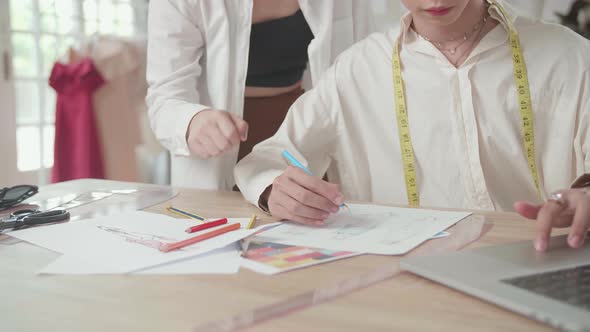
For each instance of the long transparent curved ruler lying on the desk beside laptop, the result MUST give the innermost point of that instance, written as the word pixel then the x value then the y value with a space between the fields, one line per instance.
pixel 464 233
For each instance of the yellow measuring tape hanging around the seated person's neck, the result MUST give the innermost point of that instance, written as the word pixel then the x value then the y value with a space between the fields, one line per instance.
pixel 524 99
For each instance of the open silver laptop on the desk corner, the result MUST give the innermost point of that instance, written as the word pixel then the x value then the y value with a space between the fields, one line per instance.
pixel 552 287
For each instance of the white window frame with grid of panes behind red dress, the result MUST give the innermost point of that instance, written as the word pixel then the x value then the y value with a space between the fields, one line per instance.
pixel 8 91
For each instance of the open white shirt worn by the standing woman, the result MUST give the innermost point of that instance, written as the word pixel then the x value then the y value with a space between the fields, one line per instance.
pixel 198 59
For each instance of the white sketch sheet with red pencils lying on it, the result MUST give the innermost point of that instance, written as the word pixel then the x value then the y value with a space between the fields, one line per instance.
pixel 127 242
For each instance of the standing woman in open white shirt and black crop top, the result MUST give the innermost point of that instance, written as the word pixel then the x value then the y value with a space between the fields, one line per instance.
pixel 222 74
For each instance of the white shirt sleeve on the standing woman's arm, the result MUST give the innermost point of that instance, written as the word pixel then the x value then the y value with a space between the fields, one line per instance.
pixel 175 47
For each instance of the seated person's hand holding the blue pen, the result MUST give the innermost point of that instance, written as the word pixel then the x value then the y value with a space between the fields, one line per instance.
pixel 300 197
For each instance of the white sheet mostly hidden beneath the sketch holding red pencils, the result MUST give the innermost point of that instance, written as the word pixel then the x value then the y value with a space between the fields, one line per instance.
pixel 220 261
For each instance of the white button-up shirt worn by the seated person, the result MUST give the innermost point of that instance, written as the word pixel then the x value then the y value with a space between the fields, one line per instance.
pixel 464 122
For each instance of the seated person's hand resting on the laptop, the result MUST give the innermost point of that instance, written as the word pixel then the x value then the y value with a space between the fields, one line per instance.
pixel 564 208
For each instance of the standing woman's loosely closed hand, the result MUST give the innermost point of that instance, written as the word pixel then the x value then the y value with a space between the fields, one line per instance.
pixel 213 132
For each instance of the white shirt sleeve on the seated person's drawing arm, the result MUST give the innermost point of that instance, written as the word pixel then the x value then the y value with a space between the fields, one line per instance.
pixel 309 133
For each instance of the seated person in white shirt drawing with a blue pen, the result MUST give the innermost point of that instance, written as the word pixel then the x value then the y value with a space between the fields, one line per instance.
pixel 469 106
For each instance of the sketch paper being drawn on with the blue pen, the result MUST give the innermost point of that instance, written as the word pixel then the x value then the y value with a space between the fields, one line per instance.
pixel 368 229
